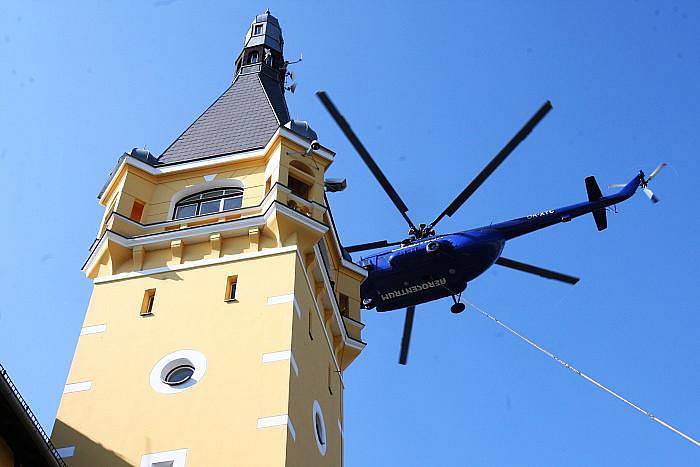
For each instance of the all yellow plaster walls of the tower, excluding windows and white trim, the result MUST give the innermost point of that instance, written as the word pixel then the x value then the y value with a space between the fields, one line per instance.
pixel 122 418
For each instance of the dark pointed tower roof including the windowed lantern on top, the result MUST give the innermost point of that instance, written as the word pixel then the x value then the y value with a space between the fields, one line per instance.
pixel 249 112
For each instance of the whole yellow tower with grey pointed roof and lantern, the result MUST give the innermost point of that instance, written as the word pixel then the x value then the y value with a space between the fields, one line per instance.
pixel 224 310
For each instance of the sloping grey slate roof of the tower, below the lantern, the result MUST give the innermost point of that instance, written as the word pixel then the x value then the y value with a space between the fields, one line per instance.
pixel 244 117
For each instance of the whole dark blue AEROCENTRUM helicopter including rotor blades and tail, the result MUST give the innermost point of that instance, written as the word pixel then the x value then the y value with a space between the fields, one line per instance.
pixel 425 266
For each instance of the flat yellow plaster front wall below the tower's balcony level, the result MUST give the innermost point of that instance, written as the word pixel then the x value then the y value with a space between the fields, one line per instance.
pixel 216 418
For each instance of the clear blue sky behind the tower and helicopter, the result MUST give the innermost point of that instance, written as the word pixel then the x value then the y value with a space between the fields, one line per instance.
pixel 434 89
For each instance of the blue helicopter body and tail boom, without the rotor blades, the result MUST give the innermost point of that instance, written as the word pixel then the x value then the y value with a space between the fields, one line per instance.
pixel 427 269
